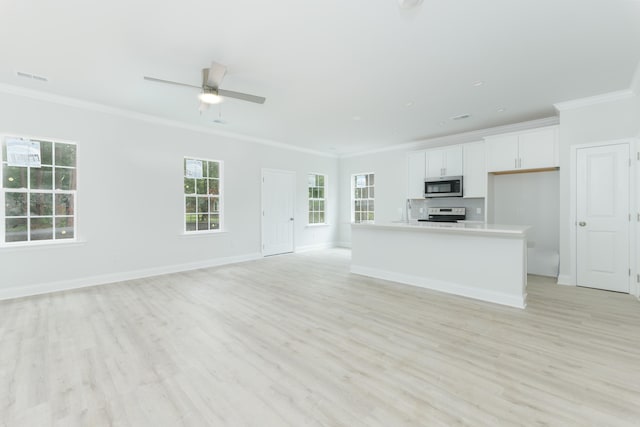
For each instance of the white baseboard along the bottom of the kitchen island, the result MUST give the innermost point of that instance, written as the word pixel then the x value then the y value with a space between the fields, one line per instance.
pixel 443 286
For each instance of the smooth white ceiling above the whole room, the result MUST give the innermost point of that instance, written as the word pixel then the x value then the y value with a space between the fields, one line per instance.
pixel 339 76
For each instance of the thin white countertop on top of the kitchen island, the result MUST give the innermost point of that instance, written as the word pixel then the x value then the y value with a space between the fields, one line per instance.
pixel 468 228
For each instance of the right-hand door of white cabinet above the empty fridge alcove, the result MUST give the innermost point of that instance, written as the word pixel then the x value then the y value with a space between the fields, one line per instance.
pixel 539 149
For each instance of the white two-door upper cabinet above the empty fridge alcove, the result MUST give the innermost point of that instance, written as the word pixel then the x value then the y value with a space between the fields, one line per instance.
pixel 536 149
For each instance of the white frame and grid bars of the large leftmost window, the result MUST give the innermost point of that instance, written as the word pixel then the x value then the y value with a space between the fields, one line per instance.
pixel 54 240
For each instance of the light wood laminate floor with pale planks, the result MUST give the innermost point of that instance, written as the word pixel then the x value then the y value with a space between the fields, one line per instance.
pixel 296 340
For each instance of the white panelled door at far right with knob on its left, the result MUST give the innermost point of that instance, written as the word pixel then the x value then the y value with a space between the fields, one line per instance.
pixel 603 217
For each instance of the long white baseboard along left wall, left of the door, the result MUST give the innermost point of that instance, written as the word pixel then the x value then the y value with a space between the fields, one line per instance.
pixel 85 282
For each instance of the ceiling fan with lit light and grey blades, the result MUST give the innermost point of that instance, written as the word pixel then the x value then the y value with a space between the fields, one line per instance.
pixel 210 87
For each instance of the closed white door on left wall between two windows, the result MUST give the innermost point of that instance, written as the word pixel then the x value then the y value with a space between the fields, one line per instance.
pixel 278 191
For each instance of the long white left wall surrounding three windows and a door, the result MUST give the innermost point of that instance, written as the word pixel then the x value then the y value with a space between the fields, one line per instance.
pixel 130 198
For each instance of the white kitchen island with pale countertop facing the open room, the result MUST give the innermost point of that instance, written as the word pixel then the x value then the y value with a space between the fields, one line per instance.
pixel 482 261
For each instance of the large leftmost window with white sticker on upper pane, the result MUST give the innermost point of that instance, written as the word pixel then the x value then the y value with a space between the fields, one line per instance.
pixel 38 189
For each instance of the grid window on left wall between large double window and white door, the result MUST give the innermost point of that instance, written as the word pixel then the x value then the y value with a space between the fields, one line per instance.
pixel 202 195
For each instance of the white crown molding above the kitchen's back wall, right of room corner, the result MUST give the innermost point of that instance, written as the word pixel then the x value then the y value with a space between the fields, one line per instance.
pixel 459 138
